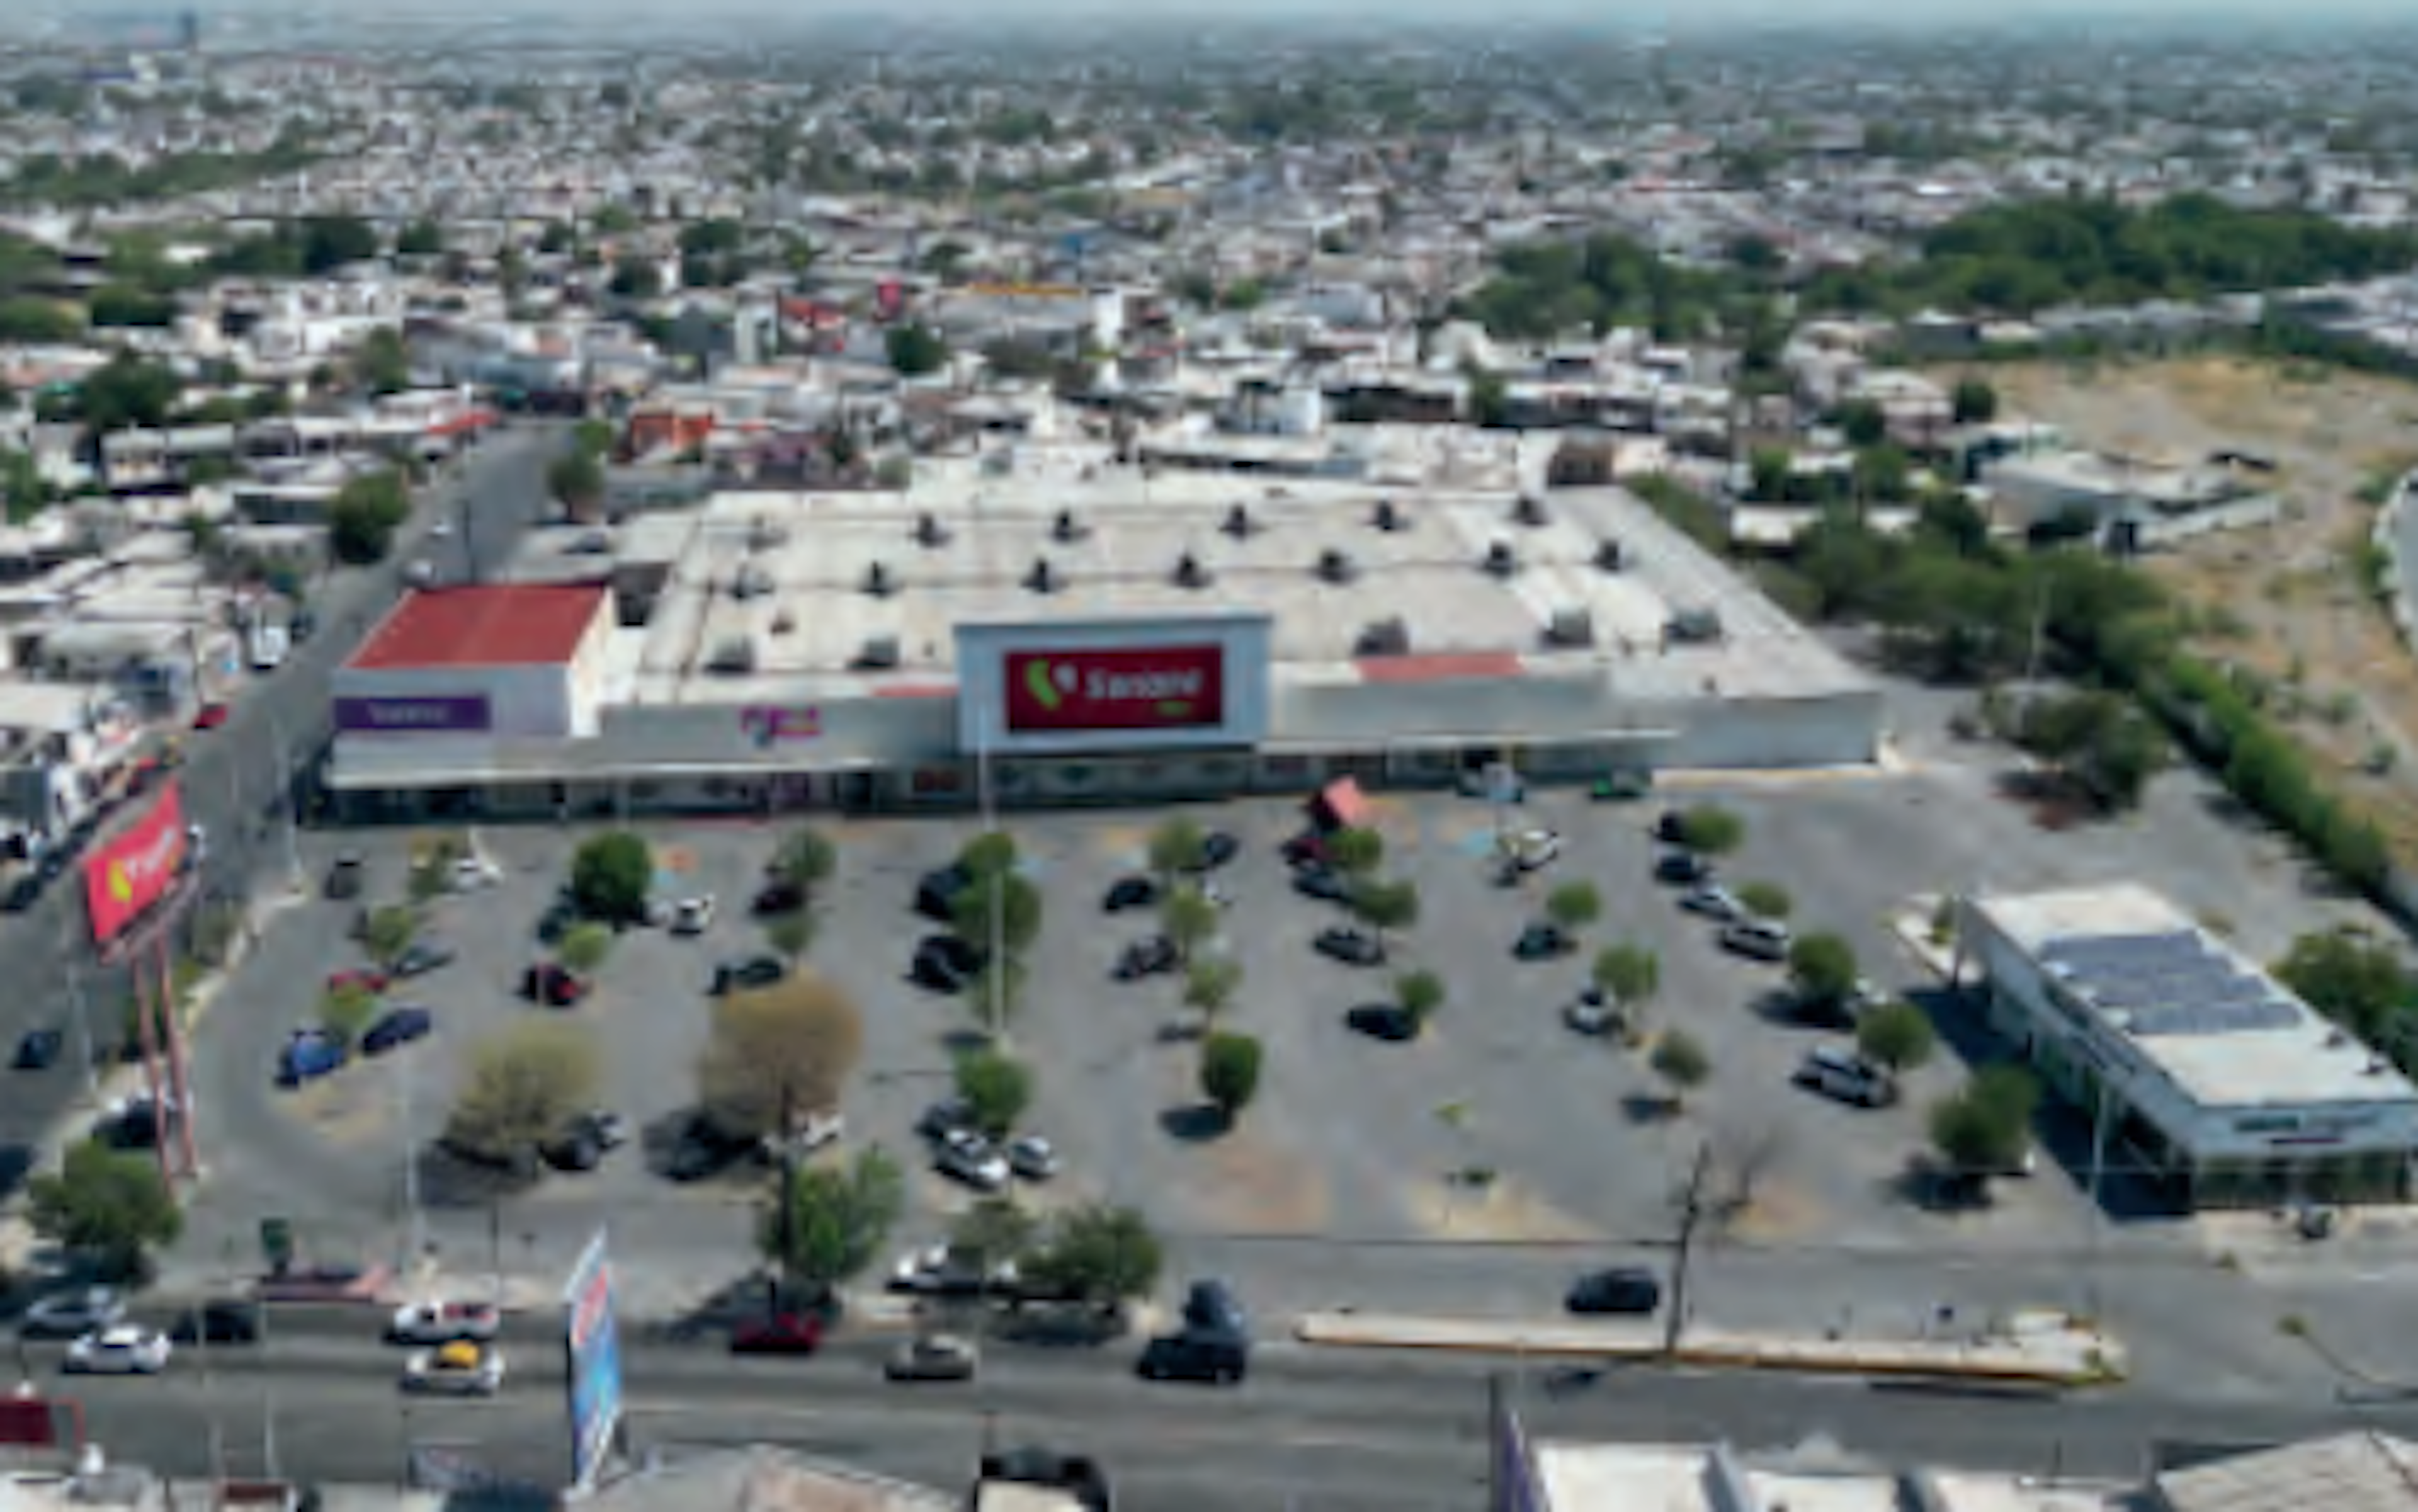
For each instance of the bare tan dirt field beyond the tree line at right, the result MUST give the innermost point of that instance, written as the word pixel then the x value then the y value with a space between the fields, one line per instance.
pixel 2286 601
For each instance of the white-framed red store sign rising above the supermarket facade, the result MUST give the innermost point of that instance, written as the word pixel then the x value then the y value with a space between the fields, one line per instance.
pixel 1113 683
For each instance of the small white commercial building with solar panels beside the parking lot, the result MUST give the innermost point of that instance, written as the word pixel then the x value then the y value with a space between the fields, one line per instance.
pixel 2194 1066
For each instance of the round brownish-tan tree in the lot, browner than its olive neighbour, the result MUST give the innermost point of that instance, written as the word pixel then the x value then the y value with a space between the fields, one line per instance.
pixel 785 1046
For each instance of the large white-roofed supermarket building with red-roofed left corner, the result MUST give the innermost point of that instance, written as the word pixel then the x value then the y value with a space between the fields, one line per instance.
pixel 1082 640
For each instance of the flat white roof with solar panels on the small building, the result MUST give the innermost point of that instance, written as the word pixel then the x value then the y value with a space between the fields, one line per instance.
pixel 2211 1022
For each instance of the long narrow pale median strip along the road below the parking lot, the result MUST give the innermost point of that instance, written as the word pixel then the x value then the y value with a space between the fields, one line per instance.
pixel 2044 1349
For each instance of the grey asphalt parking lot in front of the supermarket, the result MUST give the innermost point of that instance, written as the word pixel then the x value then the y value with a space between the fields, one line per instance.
pixel 1353 1148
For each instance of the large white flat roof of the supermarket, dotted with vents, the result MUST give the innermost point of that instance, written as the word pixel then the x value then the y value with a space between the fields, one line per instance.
pixel 787 575
